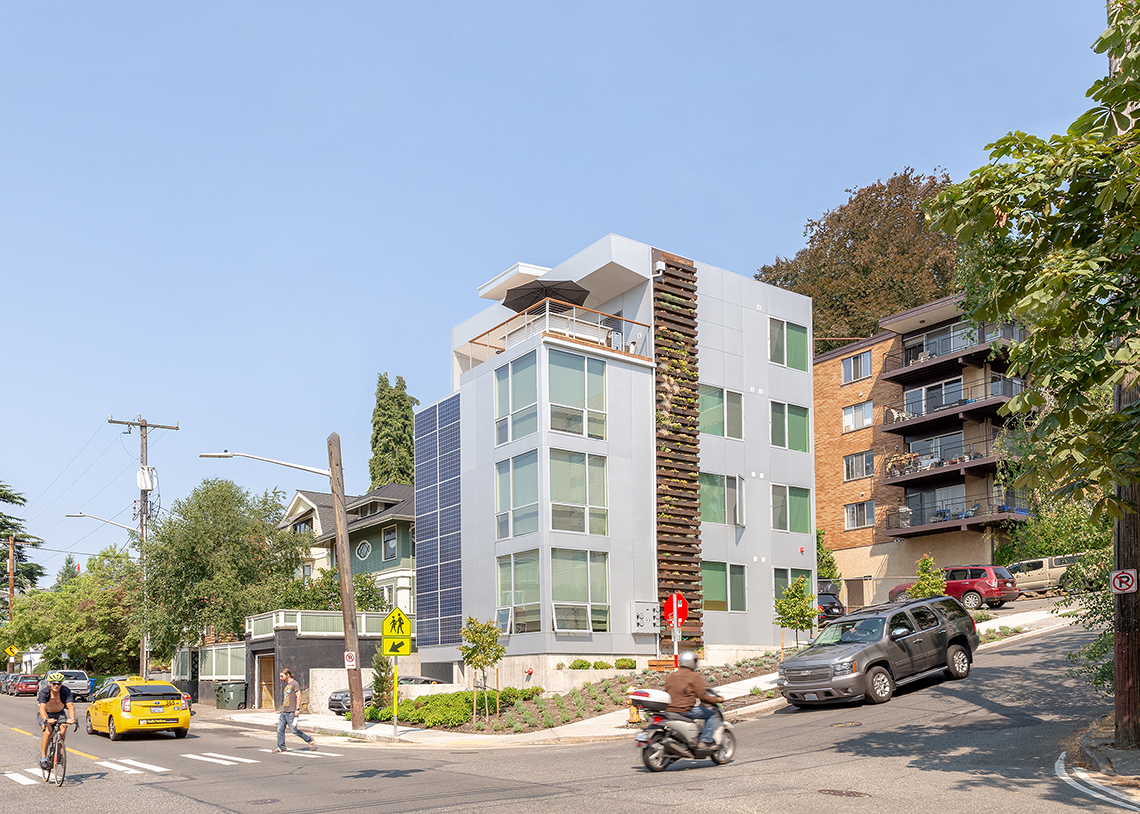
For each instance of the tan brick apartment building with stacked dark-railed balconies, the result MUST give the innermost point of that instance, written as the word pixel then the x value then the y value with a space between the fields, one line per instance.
pixel 908 447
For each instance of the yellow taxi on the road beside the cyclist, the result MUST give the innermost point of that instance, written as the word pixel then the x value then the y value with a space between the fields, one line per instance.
pixel 136 704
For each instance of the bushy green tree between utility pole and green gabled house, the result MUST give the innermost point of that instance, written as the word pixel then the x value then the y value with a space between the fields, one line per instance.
pixel 217 558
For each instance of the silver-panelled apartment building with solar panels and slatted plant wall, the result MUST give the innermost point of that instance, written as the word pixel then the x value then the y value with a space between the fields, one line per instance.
pixel 595 459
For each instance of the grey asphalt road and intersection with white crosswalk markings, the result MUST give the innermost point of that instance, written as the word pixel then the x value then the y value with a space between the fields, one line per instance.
pixel 989 743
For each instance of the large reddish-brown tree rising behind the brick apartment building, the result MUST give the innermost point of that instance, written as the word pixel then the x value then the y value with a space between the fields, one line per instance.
pixel 869 258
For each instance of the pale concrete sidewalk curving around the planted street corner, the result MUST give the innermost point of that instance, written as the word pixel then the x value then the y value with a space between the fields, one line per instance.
pixel 609 727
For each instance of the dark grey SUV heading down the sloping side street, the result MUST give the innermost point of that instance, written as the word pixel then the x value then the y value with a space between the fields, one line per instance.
pixel 868 654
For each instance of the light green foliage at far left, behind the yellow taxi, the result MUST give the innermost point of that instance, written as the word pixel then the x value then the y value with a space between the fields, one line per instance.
pixel 93 618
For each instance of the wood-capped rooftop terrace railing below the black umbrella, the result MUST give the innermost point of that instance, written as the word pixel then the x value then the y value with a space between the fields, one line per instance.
pixel 563 320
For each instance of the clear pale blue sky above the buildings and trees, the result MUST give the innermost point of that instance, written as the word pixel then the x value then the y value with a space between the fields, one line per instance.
pixel 233 216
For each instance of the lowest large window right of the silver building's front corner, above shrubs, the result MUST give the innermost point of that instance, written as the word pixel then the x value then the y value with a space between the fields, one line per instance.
pixel 581 590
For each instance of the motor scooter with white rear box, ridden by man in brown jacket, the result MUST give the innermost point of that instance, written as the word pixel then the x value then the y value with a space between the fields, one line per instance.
pixel 670 737
